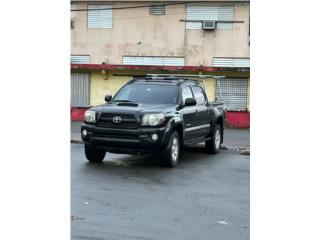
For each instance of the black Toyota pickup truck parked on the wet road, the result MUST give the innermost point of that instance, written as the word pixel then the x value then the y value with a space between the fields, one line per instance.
pixel 154 116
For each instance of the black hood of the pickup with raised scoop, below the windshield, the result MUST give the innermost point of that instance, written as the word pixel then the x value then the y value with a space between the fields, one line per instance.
pixel 135 108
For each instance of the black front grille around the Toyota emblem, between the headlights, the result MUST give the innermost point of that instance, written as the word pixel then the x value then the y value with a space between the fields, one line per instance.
pixel 128 121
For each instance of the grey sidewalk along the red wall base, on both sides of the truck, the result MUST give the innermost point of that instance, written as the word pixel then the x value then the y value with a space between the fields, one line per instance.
pixel 233 137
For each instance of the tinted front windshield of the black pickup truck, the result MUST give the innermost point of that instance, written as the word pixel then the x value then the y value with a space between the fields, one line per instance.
pixel 148 93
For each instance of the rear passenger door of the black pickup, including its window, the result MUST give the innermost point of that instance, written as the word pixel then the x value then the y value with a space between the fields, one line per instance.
pixel 202 112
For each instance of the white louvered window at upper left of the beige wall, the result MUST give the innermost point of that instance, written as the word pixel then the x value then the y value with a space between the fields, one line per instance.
pixel 99 16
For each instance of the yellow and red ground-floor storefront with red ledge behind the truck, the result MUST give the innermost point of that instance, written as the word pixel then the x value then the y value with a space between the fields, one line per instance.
pixel 91 82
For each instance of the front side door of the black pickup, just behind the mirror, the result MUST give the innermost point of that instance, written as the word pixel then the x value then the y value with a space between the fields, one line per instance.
pixel 189 114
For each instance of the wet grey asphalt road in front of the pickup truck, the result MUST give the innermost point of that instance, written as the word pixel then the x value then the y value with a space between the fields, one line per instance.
pixel 134 197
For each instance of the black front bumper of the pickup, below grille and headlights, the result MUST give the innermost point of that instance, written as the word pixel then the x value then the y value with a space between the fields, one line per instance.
pixel 131 141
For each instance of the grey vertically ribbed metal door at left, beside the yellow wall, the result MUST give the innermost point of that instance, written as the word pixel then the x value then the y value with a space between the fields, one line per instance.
pixel 80 89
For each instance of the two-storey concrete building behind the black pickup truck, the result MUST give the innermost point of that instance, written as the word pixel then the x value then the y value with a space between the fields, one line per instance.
pixel 111 41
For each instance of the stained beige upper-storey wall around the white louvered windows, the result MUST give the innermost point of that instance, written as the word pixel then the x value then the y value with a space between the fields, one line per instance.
pixel 137 33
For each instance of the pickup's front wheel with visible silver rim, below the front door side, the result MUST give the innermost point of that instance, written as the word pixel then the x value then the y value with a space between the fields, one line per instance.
pixel 171 153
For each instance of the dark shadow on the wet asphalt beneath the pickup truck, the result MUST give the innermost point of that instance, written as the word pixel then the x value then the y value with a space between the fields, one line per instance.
pixel 150 169
